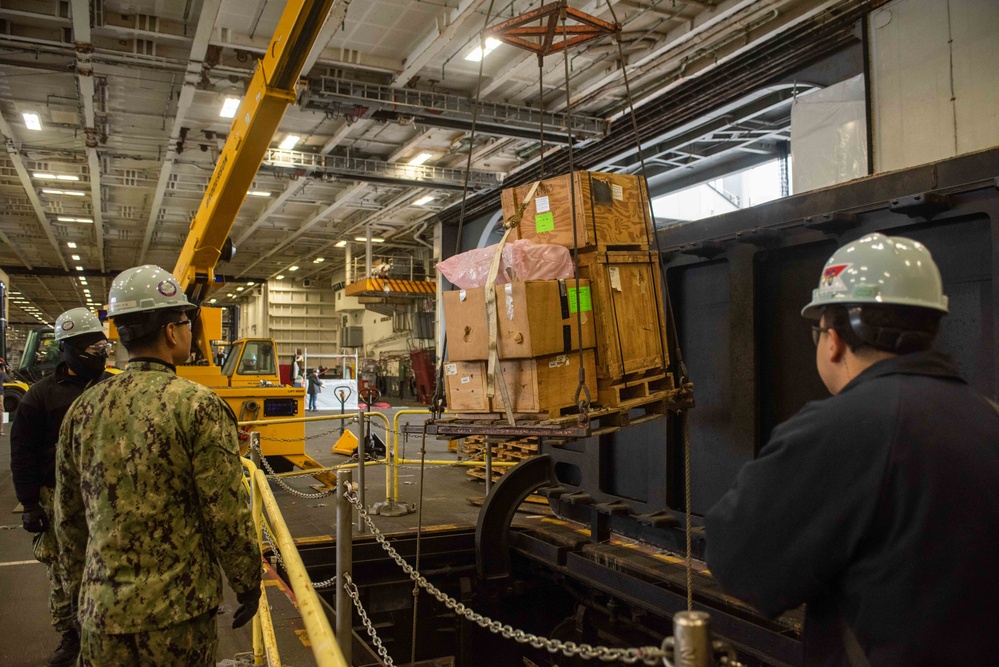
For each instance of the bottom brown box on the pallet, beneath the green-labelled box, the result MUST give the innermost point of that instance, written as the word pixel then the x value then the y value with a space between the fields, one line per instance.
pixel 546 384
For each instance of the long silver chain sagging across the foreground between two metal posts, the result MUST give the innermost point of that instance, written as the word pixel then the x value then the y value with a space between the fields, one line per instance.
pixel 649 655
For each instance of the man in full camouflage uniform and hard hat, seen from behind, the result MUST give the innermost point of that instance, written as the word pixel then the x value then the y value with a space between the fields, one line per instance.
pixel 149 495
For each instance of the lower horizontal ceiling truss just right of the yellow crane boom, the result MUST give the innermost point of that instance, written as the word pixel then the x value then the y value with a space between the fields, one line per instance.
pixel 377 171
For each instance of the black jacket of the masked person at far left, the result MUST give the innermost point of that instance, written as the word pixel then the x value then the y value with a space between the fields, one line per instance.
pixel 35 431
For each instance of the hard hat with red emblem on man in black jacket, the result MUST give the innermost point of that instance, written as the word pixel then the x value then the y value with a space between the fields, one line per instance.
pixel 889 270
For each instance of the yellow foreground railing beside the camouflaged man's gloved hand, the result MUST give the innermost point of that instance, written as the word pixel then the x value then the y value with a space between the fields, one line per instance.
pixel 324 647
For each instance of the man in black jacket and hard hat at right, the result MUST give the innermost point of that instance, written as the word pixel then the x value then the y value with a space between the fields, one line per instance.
pixel 876 507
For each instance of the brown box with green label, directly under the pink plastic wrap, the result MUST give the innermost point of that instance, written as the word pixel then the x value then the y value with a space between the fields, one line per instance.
pixel 534 318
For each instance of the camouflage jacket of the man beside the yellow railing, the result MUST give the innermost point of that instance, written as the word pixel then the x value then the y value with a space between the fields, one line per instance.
pixel 149 496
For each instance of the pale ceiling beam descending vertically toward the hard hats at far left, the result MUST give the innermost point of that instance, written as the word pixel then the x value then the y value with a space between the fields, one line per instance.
pixel 80 10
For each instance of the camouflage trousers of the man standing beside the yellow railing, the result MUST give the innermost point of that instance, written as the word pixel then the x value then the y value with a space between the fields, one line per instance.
pixel 188 644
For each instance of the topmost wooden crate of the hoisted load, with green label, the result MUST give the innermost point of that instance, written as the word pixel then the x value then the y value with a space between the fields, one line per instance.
pixel 612 211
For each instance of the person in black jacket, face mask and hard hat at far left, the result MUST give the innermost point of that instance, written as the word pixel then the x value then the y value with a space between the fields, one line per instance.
pixel 80 337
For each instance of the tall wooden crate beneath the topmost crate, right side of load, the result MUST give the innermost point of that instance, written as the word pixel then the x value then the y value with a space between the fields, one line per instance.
pixel 628 305
